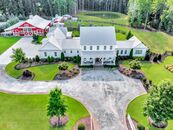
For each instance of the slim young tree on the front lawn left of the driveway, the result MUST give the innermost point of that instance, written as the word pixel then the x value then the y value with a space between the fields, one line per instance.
pixel 56 106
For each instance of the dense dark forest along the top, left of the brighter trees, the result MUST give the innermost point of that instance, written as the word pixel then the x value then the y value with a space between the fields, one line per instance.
pixel 24 8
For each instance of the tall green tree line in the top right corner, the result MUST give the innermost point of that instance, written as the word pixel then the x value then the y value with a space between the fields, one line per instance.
pixel 157 14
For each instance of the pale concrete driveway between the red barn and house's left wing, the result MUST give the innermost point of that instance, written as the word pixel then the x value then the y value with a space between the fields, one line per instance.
pixel 25 43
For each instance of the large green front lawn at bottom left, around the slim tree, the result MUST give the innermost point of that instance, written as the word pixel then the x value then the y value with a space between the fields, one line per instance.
pixel 29 112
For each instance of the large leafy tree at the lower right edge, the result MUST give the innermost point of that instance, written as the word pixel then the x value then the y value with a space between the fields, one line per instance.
pixel 159 104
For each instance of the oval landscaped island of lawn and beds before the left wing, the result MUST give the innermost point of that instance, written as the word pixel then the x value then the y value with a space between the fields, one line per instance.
pixel 42 71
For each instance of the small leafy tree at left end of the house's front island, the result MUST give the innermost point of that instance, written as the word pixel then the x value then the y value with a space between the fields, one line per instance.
pixel 18 55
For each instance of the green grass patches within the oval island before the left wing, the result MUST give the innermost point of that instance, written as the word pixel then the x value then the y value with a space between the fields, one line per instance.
pixel 42 73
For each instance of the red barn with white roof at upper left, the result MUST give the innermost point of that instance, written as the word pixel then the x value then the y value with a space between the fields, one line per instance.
pixel 34 25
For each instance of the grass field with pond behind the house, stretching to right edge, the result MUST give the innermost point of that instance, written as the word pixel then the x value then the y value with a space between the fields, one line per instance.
pixel 157 42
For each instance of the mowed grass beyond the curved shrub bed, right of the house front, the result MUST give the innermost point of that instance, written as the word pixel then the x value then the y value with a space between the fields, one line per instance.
pixel 156 72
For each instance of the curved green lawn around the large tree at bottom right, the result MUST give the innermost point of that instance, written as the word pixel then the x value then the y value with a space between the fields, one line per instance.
pixel 135 109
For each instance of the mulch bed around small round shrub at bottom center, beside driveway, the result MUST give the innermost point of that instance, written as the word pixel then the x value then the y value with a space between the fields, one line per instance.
pixel 86 121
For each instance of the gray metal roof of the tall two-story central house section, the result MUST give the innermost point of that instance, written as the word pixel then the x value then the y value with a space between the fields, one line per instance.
pixel 97 36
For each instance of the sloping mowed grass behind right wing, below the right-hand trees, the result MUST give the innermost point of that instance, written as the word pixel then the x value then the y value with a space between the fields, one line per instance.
pixel 158 42
